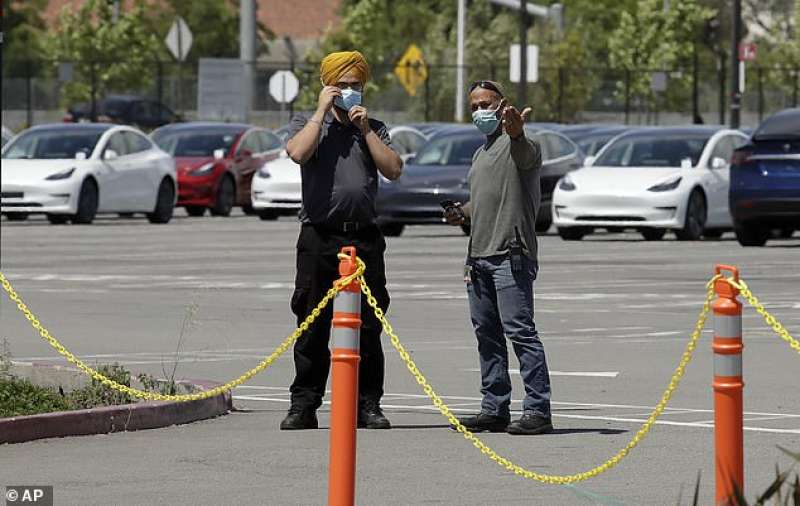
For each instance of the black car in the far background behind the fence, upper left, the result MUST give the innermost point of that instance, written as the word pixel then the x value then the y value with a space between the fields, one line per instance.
pixel 125 109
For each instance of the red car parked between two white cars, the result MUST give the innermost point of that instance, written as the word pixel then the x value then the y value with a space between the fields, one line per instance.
pixel 216 163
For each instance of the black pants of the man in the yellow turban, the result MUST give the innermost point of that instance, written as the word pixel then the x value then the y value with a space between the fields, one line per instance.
pixel 317 269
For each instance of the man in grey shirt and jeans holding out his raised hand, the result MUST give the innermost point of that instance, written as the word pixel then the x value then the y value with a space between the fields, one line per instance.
pixel 502 264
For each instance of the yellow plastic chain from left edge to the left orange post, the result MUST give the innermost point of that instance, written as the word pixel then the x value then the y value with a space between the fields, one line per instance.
pixel 154 396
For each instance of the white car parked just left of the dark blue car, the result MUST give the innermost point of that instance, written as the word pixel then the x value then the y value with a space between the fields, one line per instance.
pixel 652 180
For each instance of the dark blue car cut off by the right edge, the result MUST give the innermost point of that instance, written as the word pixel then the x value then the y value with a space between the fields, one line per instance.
pixel 765 181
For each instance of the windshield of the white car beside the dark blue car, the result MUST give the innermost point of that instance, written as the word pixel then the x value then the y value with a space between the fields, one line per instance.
pixel 654 149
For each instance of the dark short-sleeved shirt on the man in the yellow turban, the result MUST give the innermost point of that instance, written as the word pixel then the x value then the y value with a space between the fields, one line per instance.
pixel 340 180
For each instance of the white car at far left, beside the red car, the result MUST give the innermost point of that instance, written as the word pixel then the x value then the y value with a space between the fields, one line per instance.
pixel 73 171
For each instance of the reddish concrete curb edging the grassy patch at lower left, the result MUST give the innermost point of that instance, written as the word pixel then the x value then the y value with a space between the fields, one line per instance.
pixel 107 419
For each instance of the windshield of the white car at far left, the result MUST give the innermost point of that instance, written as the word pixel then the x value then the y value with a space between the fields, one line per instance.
pixel 53 144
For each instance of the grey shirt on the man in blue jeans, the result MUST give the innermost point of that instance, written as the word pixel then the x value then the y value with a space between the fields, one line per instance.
pixel 504 193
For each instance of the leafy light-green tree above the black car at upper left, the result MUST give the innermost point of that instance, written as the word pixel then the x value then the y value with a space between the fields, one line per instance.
pixel 108 56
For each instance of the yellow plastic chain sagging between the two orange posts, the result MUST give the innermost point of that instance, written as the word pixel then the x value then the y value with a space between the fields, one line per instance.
pixel 506 463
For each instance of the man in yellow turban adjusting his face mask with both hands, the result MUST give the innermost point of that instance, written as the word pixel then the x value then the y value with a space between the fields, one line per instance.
pixel 340 151
